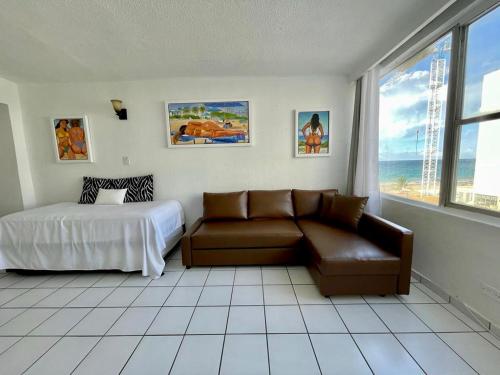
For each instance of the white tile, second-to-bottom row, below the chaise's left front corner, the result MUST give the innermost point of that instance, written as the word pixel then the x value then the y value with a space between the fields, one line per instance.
pixel 322 319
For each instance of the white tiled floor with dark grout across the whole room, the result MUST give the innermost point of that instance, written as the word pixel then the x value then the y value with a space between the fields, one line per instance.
pixel 229 320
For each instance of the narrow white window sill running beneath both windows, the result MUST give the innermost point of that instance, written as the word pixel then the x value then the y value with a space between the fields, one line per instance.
pixel 455 212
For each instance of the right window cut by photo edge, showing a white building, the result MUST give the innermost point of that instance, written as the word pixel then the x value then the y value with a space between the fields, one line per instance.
pixel 476 177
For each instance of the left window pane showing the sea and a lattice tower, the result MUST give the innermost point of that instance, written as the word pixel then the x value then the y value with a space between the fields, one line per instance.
pixel 412 119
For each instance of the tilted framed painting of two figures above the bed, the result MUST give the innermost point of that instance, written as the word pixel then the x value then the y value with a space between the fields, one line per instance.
pixel 71 139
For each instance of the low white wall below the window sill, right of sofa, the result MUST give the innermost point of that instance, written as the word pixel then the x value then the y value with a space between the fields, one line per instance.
pixel 456 253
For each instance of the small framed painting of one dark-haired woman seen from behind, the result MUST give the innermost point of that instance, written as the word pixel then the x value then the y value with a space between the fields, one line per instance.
pixel 313 133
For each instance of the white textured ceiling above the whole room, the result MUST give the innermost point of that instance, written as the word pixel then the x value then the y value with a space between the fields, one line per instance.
pixel 111 40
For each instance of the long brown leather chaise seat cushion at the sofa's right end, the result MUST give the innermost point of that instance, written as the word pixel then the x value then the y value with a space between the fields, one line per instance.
pixel 336 251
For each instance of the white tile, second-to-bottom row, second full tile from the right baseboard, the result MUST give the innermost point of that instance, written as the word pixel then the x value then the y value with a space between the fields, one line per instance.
pixel 399 319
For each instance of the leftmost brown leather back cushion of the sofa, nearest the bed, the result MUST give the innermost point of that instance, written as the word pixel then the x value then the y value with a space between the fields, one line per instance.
pixel 223 206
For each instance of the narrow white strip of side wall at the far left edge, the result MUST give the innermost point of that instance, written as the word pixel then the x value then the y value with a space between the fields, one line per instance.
pixel 9 95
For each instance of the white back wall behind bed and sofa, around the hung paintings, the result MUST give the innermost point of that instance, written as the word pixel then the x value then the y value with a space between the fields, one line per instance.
pixel 184 174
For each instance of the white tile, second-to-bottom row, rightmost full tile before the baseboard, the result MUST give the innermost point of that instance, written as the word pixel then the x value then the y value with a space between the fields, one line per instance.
pixel 438 318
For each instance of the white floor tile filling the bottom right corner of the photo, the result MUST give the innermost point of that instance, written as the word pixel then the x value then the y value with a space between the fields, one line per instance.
pixel 475 350
